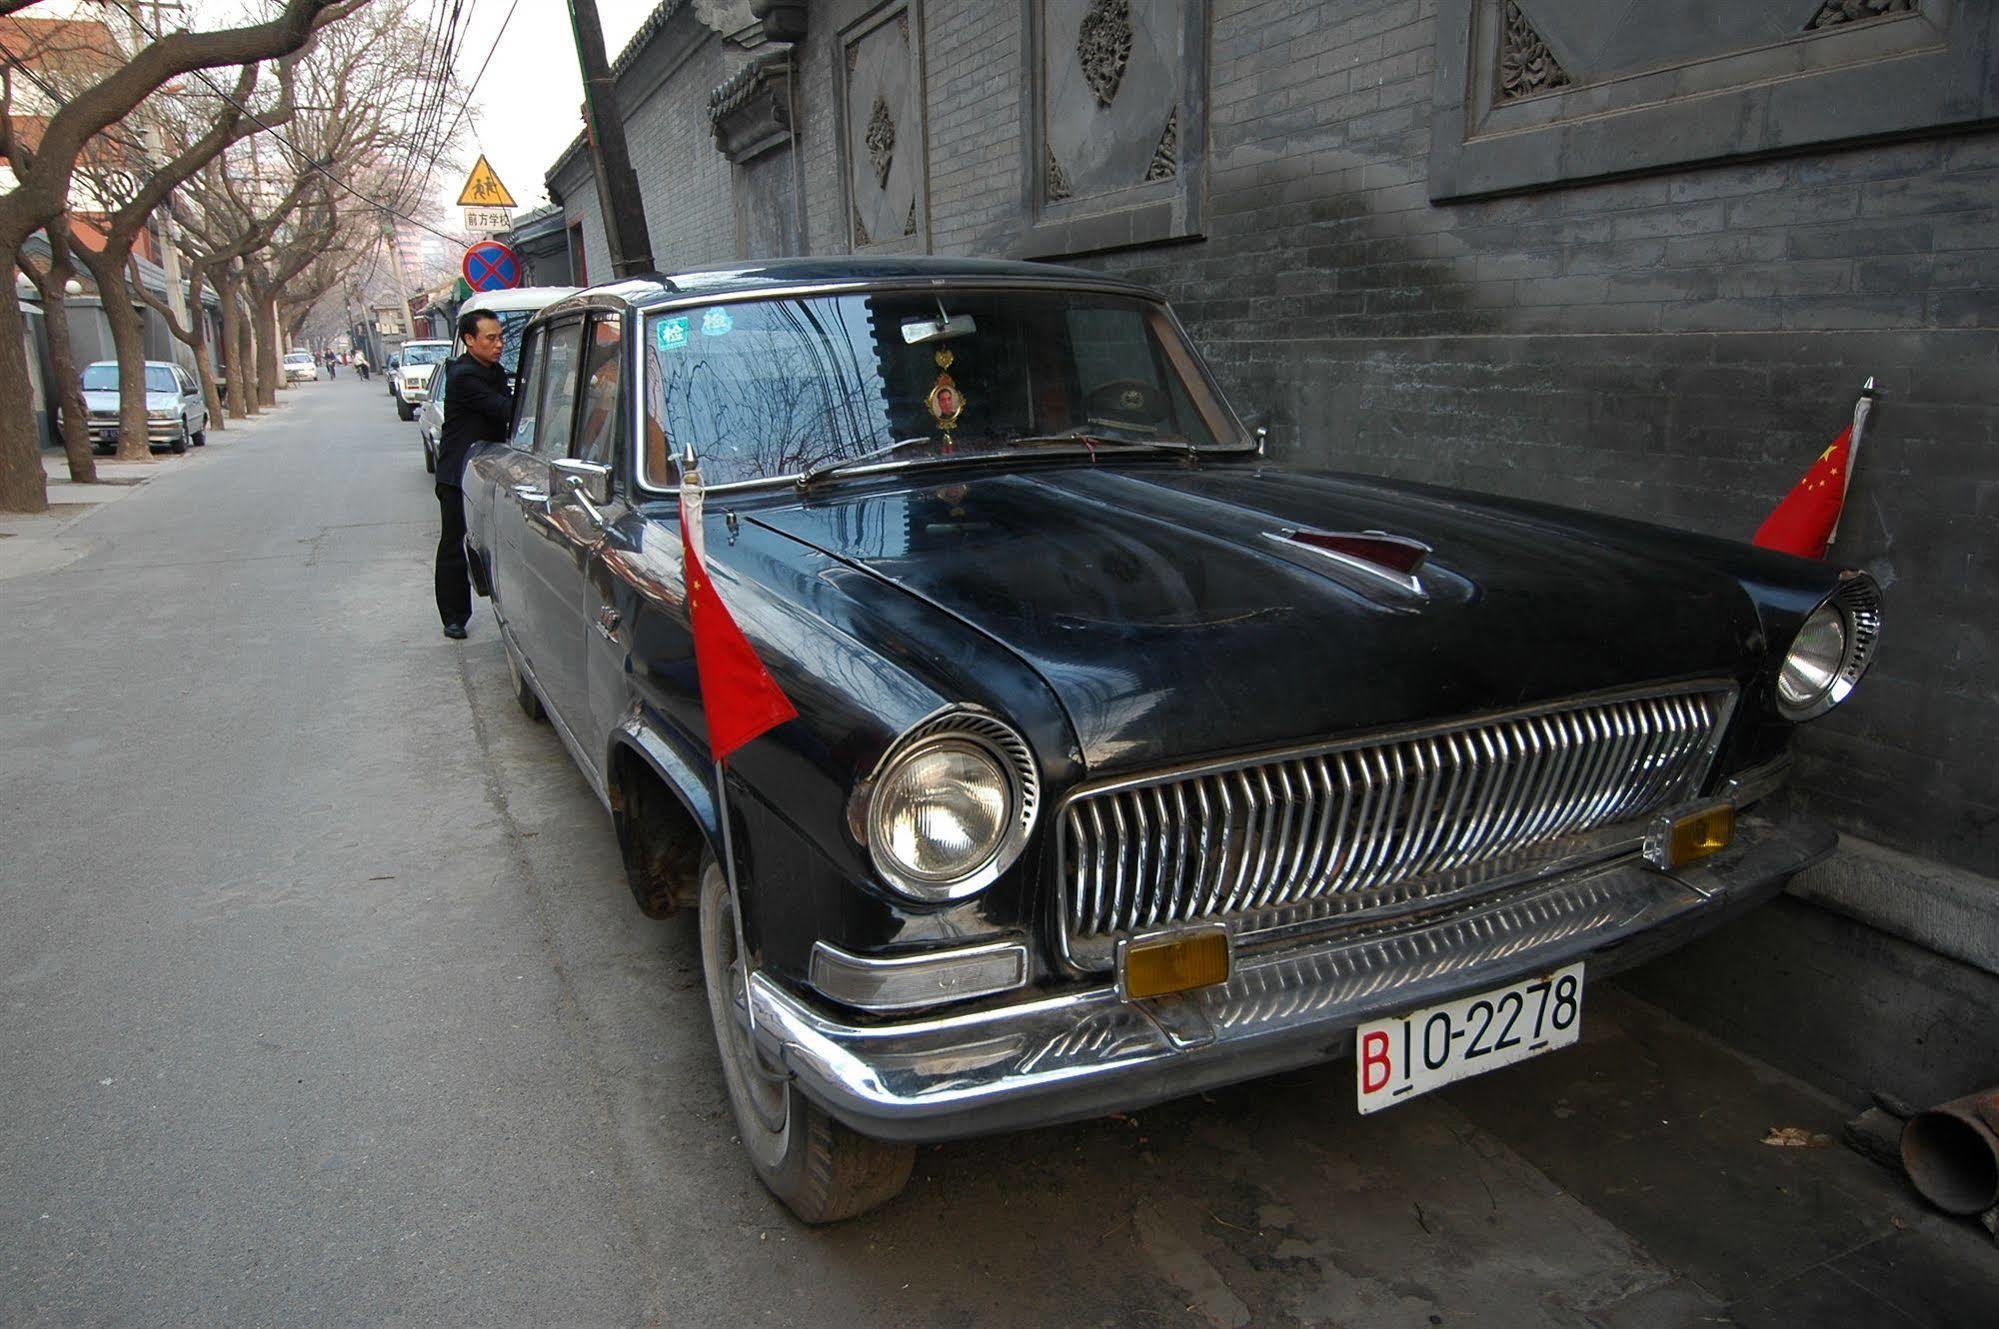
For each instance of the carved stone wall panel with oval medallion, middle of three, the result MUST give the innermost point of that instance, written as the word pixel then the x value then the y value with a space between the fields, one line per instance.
pixel 1112 79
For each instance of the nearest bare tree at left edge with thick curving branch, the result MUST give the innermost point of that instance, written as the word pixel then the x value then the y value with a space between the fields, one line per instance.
pixel 45 171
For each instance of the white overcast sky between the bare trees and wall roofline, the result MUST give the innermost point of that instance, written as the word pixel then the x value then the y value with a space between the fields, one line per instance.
pixel 529 103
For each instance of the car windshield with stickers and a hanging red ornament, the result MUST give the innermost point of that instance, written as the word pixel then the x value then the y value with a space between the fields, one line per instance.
pixel 769 389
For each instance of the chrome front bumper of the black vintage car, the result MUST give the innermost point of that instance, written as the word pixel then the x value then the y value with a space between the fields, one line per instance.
pixel 1088 1052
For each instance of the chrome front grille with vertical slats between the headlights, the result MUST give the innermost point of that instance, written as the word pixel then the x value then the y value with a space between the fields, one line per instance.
pixel 1380 822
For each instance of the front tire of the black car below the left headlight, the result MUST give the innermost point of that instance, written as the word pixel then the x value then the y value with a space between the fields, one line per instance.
pixel 819 1168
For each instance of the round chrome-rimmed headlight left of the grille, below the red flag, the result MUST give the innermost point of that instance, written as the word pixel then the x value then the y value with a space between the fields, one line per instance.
pixel 951 806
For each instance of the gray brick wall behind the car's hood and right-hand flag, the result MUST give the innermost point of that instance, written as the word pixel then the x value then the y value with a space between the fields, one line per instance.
pixel 1674 349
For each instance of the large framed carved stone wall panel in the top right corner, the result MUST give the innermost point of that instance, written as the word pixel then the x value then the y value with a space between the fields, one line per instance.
pixel 1544 93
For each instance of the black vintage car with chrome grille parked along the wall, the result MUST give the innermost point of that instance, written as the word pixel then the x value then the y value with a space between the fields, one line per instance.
pixel 1126 760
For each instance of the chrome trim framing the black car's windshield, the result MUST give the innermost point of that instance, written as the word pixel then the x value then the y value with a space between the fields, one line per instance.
pixel 1110 287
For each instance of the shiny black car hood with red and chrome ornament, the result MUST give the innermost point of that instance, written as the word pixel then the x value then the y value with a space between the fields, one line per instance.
pixel 1174 623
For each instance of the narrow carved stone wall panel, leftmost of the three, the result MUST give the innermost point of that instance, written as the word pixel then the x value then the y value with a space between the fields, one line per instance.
pixel 883 119
